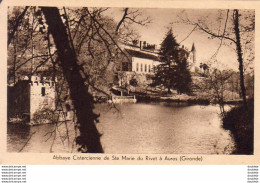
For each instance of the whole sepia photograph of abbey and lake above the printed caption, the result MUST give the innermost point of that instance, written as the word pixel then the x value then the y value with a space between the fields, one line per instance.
pixel 124 80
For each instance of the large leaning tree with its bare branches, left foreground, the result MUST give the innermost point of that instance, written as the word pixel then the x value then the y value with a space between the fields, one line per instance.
pixel 85 55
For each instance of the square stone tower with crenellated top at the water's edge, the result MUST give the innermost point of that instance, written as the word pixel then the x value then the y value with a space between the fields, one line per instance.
pixel 31 97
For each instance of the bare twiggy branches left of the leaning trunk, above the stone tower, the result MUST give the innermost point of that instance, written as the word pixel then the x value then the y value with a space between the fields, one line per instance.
pixel 25 55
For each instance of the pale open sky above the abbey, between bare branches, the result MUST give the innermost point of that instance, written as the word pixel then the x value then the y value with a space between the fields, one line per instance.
pixel 162 19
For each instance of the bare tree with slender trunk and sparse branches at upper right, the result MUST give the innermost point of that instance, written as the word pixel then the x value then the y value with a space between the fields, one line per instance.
pixel 233 26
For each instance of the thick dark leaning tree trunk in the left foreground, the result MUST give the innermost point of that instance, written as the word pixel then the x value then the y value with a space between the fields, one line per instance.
pixel 89 139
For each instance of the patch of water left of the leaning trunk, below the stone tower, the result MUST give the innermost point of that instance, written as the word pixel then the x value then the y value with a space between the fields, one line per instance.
pixel 42 138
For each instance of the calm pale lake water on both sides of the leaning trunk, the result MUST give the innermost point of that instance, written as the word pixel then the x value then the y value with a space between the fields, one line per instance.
pixel 135 128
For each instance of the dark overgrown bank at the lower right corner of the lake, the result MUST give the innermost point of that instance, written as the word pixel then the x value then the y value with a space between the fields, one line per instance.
pixel 241 123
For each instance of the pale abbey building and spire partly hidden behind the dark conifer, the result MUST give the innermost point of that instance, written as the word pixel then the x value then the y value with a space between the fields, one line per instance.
pixel 143 59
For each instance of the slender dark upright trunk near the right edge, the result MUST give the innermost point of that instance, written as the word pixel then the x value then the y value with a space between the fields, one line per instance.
pixel 240 58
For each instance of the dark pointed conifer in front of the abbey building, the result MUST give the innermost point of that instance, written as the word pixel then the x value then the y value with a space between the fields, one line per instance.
pixel 173 71
